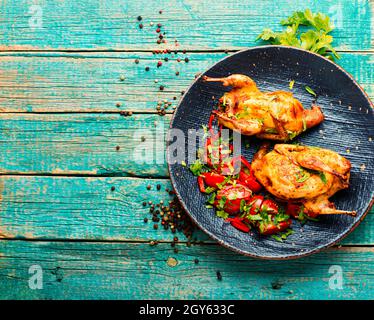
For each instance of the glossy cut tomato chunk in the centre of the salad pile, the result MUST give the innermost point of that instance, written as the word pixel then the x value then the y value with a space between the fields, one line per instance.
pixel 233 195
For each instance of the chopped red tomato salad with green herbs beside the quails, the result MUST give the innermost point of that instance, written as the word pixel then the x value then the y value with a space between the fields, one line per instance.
pixel 234 190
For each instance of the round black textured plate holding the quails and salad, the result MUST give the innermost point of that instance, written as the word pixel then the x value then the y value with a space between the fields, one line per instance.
pixel 348 129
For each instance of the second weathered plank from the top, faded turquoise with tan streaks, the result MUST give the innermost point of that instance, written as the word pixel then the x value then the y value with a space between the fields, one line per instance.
pixel 90 82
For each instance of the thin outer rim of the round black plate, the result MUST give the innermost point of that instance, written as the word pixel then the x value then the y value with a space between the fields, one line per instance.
pixel 212 235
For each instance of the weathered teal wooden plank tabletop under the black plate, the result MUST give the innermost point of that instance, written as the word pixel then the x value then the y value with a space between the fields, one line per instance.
pixel 67 74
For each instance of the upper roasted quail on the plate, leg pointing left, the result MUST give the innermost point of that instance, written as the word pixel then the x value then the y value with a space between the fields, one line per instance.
pixel 268 115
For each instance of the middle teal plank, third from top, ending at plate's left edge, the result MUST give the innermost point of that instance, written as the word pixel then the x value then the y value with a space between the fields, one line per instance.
pixel 83 144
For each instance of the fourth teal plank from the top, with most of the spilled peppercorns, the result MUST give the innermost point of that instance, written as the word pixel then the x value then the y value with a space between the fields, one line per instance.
pixel 85 208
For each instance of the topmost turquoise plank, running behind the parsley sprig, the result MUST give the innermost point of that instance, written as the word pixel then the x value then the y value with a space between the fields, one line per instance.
pixel 112 25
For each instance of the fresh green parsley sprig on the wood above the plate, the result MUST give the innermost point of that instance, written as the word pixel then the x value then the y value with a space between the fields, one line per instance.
pixel 316 39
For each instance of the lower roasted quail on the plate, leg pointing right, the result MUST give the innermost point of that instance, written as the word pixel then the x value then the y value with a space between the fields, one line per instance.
pixel 308 175
